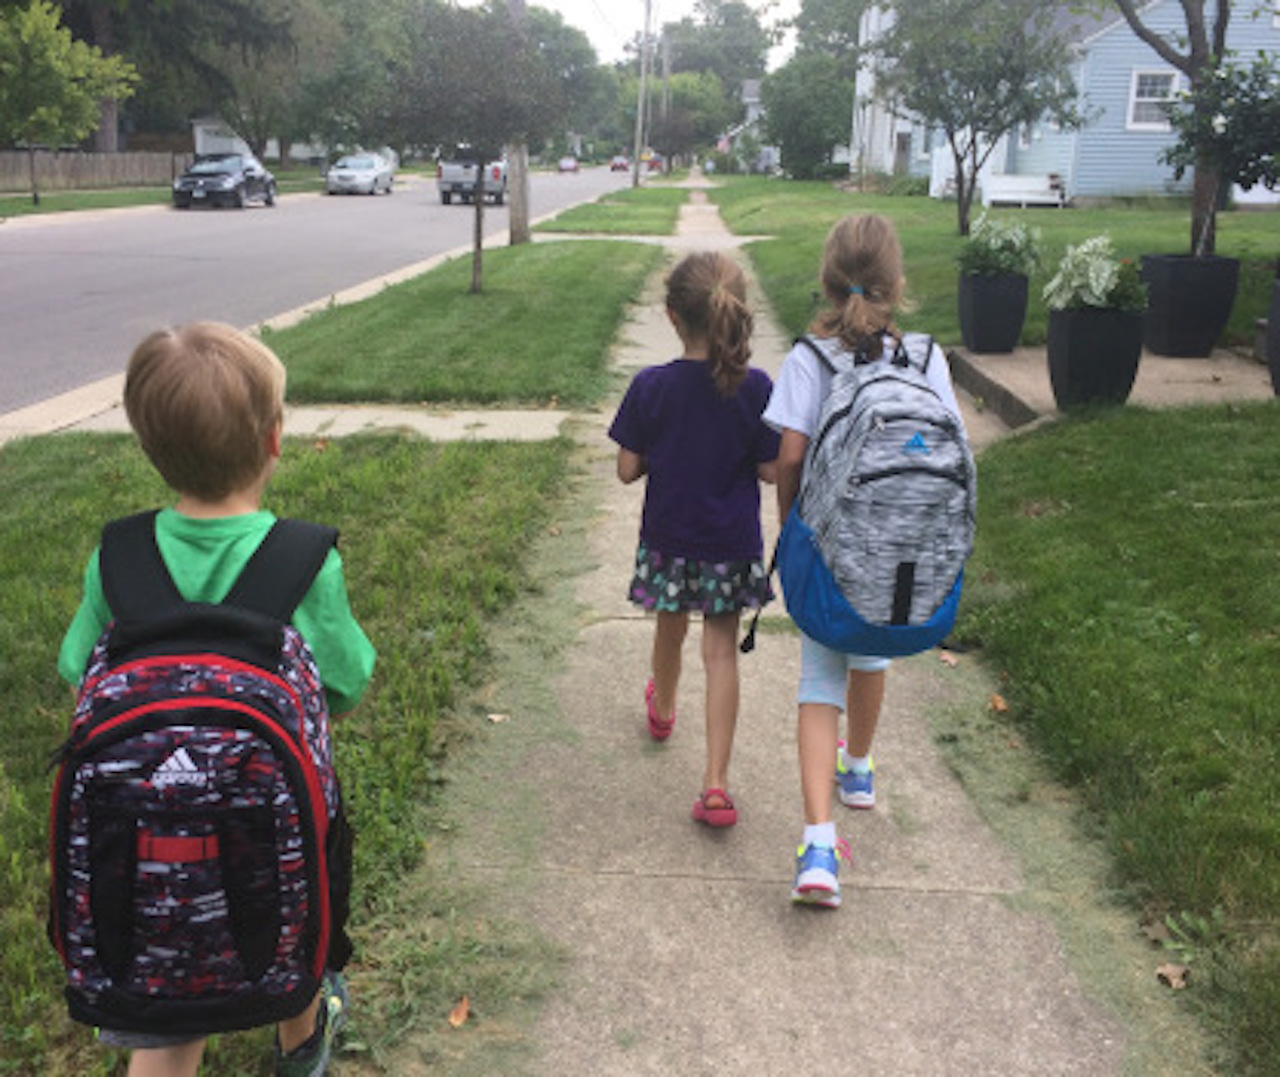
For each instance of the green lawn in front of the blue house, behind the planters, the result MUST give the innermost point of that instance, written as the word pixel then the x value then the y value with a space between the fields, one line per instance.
pixel 799 215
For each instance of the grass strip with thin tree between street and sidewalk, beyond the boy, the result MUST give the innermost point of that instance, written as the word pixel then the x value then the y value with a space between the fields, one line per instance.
pixel 538 334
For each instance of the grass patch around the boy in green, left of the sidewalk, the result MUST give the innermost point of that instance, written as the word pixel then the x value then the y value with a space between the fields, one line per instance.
pixel 435 540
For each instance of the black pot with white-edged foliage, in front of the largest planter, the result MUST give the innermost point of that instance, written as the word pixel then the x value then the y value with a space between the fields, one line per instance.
pixel 1094 355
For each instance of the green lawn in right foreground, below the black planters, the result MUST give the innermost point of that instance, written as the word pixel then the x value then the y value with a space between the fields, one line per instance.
pixel 1127 583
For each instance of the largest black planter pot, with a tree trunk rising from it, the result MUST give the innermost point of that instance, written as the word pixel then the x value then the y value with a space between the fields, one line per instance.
pixel 1190 303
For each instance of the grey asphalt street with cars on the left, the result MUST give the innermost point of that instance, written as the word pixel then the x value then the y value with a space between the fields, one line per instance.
pixel 77 291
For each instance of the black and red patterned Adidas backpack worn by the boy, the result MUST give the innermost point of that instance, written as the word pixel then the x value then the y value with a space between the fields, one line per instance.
pixel 200 859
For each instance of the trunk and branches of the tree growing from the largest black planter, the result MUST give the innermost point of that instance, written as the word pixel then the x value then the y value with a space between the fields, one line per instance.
pixel 1197 56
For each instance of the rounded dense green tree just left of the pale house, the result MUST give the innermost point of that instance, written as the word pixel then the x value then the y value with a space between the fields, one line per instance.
pixel 807 111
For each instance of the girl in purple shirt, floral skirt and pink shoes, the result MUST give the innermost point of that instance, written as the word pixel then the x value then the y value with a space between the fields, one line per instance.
pixel 693 430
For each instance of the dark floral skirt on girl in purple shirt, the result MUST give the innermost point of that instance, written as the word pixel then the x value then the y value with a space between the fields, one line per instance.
pixel 682 585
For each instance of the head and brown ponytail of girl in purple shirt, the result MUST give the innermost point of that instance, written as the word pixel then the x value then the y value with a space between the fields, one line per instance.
pixel 708 293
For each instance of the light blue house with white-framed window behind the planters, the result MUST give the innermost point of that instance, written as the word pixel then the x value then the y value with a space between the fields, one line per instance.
pixel 1124 88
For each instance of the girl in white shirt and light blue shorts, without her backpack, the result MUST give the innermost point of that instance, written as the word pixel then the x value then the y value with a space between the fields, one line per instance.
pixel 863 282
